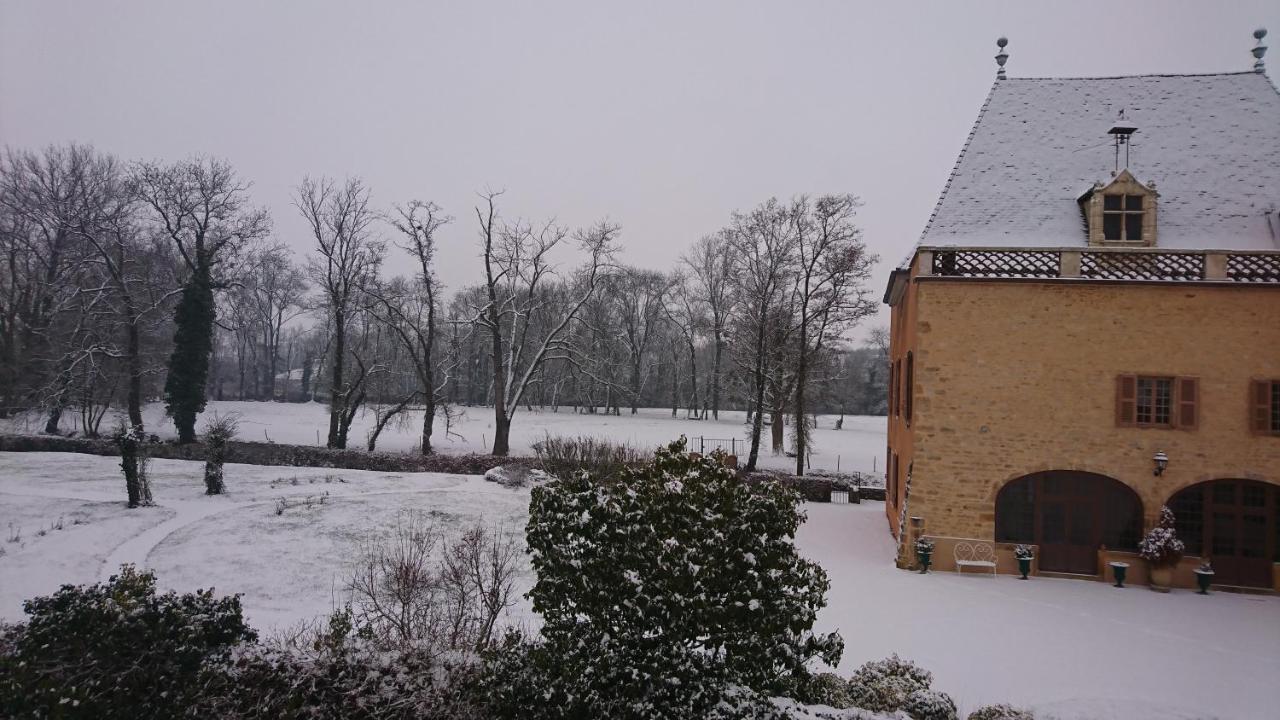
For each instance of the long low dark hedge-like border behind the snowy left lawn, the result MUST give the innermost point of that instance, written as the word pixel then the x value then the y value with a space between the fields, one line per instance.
pixel 277 454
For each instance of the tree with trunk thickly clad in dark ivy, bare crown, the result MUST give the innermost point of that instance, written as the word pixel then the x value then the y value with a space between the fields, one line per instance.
pixel 203 207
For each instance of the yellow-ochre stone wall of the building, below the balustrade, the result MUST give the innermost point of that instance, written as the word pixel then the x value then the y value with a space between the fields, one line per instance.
pixel 1016 377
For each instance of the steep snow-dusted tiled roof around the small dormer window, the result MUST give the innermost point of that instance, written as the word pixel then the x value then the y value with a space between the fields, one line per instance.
pixel 1210 144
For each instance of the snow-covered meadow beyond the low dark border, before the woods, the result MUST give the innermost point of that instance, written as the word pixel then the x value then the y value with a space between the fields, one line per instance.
pixel 860 446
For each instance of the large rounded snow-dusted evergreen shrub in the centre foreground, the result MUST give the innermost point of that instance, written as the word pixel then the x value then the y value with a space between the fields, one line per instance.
pixel 670 585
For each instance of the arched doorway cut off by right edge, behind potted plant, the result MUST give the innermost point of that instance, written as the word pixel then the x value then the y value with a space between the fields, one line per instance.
pixel 1232 523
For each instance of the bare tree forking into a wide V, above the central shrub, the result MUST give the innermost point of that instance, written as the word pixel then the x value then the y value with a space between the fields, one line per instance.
pixel 518 271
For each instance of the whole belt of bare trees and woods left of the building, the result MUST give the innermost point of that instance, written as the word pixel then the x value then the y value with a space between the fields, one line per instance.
pixel 125 284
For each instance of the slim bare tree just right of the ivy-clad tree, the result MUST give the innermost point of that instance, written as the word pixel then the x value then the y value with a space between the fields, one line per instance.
pixel 341 222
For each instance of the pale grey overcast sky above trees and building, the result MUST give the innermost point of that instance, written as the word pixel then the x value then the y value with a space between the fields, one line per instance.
pixel 664 117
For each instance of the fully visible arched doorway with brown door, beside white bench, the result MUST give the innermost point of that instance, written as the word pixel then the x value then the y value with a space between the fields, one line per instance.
pixel 1069 514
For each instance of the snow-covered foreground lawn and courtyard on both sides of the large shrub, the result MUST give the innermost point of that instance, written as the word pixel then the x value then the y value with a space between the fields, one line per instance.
pixel 1073 649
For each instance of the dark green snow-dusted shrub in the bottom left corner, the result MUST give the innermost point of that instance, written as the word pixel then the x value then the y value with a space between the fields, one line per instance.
pixel 116 650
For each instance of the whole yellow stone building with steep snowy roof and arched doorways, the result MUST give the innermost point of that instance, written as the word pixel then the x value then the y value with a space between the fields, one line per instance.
pixel 1090 330
